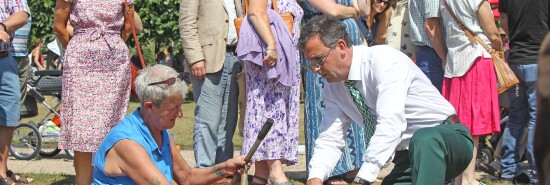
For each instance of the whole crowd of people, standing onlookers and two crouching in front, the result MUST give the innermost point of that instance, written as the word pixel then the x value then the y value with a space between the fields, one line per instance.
pixel 419 92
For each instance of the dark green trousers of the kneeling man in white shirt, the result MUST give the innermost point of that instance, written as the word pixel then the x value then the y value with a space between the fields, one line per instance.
pixel 435 155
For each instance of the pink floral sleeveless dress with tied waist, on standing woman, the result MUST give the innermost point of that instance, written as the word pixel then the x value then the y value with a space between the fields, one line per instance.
pixel 96 74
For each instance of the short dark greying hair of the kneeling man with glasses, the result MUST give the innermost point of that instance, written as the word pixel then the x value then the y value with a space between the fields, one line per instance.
pixel 329 30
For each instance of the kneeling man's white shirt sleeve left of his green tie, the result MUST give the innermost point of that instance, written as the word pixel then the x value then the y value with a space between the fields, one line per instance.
pixel 330 143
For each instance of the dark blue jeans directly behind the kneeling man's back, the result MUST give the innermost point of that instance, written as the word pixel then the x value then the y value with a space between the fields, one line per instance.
pixel 429 62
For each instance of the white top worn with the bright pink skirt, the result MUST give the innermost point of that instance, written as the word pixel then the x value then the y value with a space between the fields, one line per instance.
pixel 462 52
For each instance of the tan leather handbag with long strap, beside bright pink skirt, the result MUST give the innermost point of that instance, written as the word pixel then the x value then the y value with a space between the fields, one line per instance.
pixel 506 78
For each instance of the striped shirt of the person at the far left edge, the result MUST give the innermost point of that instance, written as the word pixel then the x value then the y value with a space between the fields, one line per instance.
pixel 7 8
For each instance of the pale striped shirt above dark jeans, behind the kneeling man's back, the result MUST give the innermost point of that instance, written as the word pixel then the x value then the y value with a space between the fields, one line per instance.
pixel 419 11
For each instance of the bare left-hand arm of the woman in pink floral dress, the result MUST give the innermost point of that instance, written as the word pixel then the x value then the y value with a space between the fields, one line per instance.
pixel 61 16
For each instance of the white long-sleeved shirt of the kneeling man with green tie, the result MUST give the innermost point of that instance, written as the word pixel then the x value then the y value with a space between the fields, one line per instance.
pixel 399 96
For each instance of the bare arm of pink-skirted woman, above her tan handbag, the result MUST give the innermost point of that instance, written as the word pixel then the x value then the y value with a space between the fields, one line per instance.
pixel 487 20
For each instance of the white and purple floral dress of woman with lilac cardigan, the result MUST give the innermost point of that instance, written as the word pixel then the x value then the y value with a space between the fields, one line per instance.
pixel 269 98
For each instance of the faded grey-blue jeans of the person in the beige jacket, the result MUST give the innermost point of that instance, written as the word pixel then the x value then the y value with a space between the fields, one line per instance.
pixel 216 113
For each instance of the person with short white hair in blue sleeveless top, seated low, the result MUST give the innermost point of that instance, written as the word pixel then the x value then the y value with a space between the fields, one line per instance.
pixel 139 150
